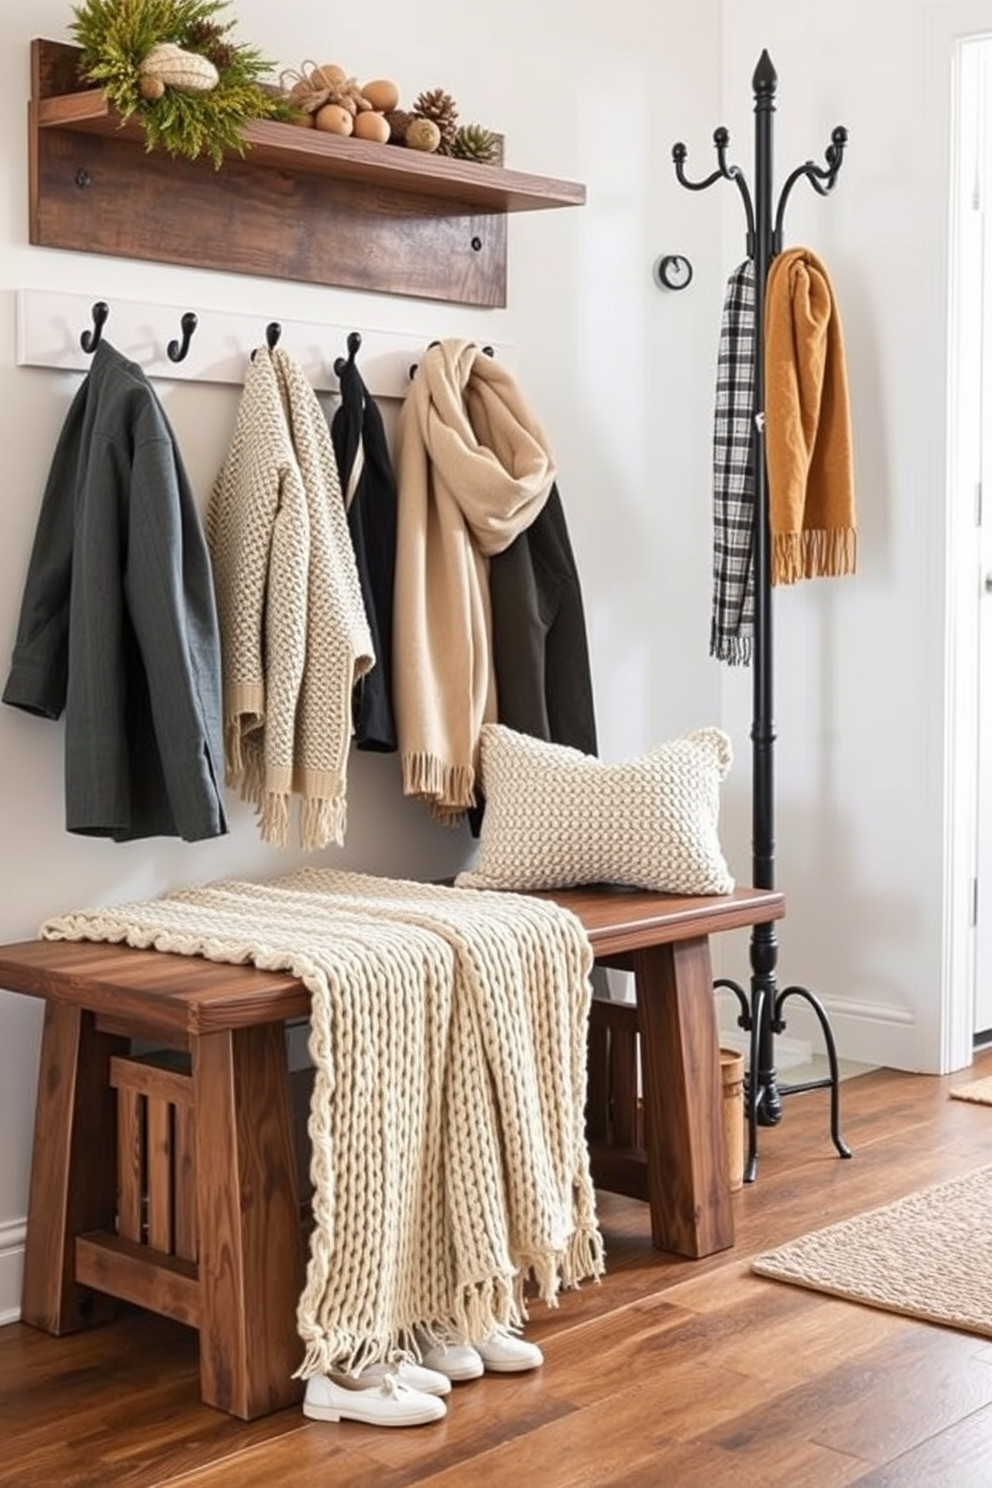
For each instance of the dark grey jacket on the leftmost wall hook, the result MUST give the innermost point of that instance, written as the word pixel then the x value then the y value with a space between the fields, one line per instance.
pixel 118 623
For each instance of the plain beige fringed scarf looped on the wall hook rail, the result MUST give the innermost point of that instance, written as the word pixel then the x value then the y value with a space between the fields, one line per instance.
pixel 474 471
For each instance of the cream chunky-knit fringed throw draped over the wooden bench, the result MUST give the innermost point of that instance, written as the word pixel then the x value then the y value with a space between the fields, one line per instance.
pixel 448 1035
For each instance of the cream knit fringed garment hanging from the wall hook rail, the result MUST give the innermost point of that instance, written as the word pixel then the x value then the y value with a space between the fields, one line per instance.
pixel 294 630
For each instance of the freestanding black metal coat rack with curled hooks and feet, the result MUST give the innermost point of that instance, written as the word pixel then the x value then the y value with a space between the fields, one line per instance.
pixel 762 1011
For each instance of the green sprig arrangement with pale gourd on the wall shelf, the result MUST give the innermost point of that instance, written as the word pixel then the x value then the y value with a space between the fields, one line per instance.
pixel 176 66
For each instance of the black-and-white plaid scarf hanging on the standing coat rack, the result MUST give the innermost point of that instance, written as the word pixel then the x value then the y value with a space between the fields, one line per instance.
pixel 732 624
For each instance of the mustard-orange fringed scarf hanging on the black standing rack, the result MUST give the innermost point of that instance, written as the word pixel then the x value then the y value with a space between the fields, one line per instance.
pixel 807 425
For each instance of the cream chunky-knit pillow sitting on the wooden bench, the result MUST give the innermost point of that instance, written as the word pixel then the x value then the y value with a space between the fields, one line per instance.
pixel 557 818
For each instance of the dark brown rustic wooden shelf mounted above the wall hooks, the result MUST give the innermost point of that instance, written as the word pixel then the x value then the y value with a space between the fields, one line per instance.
pixel 300 205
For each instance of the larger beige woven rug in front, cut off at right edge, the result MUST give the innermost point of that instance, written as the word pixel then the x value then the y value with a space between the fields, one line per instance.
pixel 929 1257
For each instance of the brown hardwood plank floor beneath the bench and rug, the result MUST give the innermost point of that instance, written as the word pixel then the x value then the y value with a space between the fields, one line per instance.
pixel 671 1374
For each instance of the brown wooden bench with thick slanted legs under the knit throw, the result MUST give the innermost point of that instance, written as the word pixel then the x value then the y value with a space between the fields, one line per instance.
pixel 170 1182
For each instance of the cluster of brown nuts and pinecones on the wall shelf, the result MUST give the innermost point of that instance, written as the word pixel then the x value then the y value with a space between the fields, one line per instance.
pixel 325 97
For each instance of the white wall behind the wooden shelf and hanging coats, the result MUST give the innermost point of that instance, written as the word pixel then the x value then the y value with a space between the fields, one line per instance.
pixel 619 373
